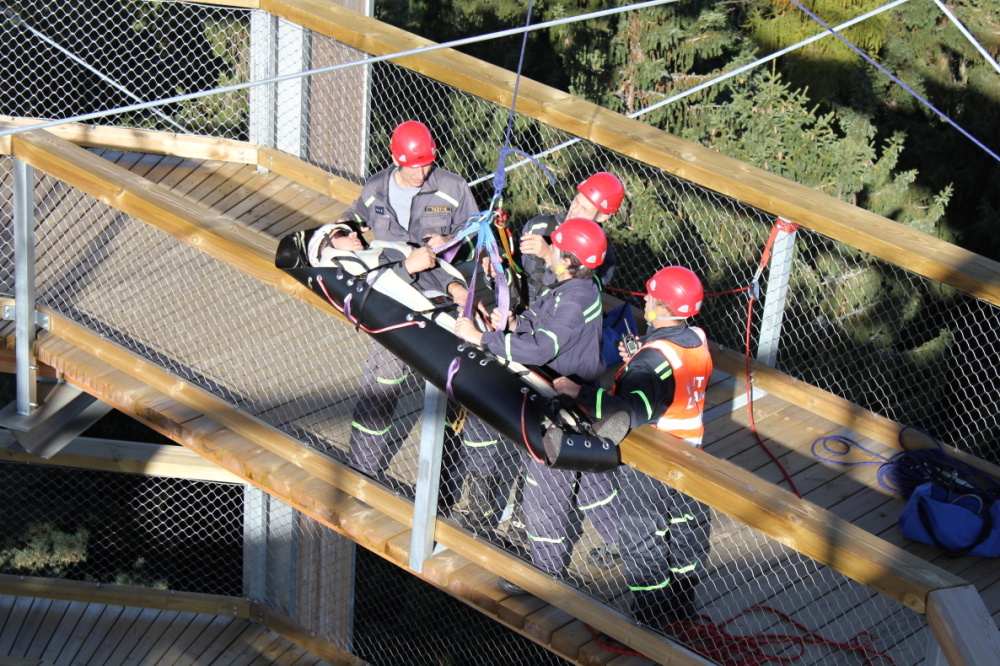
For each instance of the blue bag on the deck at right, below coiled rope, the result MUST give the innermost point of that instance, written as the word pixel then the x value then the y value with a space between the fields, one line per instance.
pixel 959 524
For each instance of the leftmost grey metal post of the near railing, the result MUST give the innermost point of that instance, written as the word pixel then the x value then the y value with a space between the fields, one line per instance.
pixel 24 287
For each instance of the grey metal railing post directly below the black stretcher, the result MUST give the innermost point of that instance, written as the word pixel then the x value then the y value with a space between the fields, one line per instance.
pixel 428 476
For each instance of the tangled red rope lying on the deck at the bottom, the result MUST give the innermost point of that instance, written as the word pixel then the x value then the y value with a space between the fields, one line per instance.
pixel 715 642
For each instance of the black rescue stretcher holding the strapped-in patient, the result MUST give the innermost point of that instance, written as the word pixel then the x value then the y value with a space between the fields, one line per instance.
pixel 517 401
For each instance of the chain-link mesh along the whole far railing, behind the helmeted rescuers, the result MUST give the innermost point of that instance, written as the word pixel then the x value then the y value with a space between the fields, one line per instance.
pixel 906 335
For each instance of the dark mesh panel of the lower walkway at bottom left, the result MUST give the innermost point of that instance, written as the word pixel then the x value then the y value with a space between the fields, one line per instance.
pixel 124 529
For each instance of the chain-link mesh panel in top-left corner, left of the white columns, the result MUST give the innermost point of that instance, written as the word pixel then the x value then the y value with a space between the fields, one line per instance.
pixel 77 58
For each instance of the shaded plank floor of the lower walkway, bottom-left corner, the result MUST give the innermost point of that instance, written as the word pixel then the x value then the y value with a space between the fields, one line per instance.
pixel 61 633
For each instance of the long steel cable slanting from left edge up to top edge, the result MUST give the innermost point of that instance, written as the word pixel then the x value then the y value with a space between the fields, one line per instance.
pixel 337 67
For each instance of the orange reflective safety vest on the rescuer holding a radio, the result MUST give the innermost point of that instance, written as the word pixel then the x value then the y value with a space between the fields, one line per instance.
pixel 692 368
